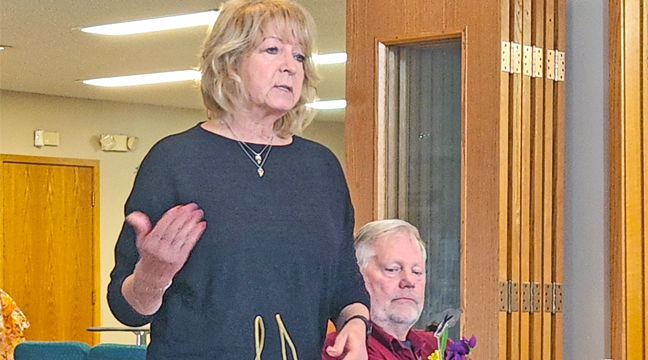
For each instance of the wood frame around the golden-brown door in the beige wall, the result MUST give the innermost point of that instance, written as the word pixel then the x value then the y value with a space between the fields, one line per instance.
pixel 94 165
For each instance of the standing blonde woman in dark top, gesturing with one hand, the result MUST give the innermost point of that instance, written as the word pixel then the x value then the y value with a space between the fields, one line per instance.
pixel 238 237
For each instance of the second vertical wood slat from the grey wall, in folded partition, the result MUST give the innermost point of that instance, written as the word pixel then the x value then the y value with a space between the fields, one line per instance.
pixel 547 251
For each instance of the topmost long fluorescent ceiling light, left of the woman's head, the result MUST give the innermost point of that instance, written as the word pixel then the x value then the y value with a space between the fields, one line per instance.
pixel 157 24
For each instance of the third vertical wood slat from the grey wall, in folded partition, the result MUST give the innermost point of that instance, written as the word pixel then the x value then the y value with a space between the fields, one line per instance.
pixel 536 179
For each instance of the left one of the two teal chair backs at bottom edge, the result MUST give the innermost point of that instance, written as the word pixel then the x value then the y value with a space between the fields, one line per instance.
pixel 51 350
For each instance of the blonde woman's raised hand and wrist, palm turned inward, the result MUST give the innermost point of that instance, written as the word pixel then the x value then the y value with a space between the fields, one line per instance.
pixel 164 249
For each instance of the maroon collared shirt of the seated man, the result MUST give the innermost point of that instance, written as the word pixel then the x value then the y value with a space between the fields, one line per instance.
pixel 382 346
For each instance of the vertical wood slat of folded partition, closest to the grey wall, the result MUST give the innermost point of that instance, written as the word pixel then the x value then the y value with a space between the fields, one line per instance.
pixel 559 174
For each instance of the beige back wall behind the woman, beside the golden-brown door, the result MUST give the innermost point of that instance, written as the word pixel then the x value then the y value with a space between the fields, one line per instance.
pixel 79 123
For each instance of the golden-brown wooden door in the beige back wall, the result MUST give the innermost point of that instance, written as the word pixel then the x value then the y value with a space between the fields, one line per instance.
pixel 50 262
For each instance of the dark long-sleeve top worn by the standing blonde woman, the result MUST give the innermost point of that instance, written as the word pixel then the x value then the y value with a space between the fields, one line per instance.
pixel 277 244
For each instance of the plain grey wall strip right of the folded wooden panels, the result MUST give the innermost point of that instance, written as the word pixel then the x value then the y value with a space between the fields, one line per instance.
pixel 586 276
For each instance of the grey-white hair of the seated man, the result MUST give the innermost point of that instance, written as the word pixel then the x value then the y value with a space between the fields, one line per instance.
pixel 366 238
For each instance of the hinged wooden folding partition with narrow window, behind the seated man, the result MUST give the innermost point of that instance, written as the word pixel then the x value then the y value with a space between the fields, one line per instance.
pixel 511 175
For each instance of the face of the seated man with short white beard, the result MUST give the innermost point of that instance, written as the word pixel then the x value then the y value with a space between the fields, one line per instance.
pixel 395 279
